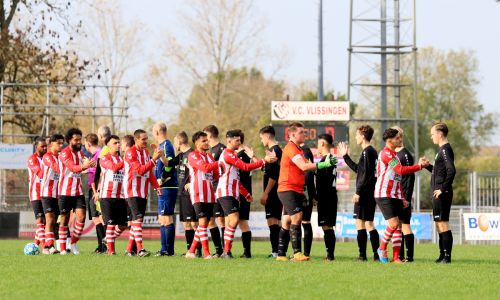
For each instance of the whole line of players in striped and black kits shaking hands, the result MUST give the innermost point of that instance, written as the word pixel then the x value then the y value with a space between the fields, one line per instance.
pixel 219 186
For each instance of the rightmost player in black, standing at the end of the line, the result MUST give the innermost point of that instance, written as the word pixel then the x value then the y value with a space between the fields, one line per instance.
pixel 443 173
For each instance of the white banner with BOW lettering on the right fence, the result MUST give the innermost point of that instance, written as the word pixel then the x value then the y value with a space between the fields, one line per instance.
pixel 482 226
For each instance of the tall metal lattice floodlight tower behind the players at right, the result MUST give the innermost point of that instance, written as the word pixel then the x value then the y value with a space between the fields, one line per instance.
pixel 376 42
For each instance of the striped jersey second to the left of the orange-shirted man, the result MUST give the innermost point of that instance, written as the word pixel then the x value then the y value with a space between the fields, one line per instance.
pixel 203 171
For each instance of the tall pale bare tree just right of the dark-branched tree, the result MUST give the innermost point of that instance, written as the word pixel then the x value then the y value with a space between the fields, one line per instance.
pixel 115 46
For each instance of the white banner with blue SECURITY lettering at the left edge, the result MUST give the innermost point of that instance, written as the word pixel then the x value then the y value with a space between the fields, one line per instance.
pixel 15 156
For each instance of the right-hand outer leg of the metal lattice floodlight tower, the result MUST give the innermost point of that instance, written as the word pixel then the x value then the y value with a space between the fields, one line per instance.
pixel 415 100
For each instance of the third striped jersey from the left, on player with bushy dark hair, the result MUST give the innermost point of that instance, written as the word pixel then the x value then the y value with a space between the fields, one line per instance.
pixel 70 165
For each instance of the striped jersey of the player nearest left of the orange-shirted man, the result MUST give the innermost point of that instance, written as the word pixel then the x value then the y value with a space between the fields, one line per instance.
pixel 230 166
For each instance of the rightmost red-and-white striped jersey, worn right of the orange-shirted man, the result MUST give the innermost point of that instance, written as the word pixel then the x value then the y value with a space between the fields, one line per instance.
pixel 389 175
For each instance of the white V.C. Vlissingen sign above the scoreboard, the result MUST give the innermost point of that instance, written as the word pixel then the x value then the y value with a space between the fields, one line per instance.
pixel 310 110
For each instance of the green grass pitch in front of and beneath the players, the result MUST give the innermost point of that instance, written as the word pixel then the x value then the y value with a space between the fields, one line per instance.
pixel 474 274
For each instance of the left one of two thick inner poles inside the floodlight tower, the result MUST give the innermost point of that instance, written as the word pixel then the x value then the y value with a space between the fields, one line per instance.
pixel 383 65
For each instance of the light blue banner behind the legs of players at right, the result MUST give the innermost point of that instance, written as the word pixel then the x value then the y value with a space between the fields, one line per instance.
pixel 421 224
